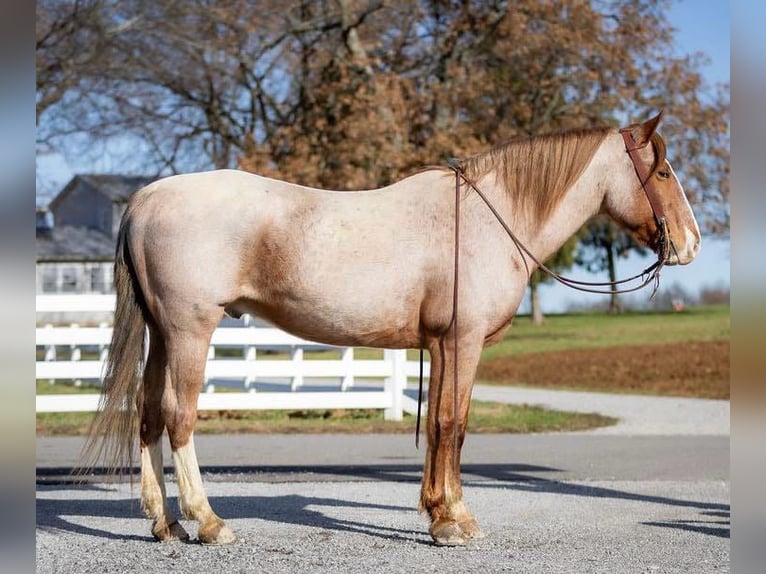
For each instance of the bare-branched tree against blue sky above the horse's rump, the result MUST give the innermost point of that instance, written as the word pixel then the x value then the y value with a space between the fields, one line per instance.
pixel 183 80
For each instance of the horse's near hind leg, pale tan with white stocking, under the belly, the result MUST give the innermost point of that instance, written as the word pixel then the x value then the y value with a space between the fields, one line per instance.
pixel 187 356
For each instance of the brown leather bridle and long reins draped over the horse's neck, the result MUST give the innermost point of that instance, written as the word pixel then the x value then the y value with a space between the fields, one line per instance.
pixel 652 272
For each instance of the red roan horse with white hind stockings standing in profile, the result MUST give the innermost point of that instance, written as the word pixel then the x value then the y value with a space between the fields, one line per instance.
pixel 374 268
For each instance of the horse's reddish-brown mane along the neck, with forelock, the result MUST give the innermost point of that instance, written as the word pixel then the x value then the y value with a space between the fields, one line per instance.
pixel 537 171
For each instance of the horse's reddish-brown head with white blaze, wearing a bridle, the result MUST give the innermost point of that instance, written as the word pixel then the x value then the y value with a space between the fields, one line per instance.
pixel 646 190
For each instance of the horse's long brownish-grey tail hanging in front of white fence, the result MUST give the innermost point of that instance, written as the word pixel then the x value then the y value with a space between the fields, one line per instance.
pixel 113 430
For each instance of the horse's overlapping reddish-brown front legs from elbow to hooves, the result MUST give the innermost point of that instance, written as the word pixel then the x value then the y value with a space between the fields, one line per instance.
pixel 442 493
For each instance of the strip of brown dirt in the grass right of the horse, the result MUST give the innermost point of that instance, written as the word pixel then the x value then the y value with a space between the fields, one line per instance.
pixel 694 369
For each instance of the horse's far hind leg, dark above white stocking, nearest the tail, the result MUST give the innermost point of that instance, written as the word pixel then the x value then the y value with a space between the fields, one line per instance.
pixel 154 499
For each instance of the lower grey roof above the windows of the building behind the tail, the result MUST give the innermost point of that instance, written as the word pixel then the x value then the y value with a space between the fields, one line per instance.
pixel 70 243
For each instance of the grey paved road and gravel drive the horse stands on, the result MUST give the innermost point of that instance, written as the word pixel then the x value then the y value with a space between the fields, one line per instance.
pixel 630 500
